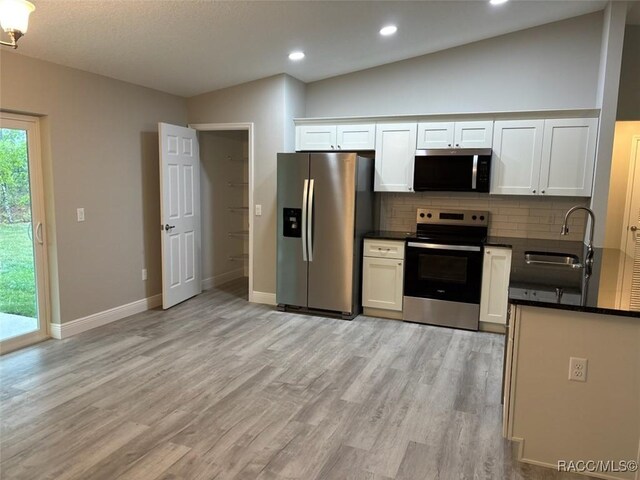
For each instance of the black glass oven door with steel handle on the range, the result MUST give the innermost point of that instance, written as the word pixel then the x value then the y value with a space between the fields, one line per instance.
pixel 443 272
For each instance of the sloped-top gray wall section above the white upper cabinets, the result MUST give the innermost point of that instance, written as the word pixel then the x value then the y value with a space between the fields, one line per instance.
pixel 554 66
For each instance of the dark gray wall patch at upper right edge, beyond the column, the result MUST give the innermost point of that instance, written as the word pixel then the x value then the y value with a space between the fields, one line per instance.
pixel 629 94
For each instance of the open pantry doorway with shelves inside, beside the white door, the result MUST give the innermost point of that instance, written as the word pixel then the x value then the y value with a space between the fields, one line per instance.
pixel 225 199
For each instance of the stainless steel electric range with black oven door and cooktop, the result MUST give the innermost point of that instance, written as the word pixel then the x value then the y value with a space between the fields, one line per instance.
pixel 443 268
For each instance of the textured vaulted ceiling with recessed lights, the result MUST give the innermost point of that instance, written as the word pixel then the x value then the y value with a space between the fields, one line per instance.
pixel 194 46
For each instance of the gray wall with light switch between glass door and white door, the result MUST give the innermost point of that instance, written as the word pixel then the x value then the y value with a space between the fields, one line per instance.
pixel 100 152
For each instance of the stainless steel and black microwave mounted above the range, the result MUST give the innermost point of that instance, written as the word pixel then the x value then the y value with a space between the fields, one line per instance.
pixel 452 170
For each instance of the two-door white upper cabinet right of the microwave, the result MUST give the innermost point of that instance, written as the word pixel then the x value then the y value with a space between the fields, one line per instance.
pixel 544 157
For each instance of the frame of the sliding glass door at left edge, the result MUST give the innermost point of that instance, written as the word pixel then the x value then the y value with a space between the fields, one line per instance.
pixel 38 226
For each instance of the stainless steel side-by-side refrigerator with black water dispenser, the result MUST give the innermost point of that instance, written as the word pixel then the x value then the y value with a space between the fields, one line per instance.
pixel 325 206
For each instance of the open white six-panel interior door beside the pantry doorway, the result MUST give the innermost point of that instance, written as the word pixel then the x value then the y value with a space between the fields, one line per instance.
pixel 180 213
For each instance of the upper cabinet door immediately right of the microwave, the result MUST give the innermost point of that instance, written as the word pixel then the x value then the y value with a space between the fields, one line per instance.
pixel 517 153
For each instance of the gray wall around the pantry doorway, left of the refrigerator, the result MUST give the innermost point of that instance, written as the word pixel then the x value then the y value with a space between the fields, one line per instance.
pixel 262 103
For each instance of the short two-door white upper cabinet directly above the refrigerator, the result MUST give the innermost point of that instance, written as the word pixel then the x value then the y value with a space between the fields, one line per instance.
pixel 335 137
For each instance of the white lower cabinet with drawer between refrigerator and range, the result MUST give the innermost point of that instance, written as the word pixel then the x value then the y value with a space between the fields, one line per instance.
pixel 382 275
